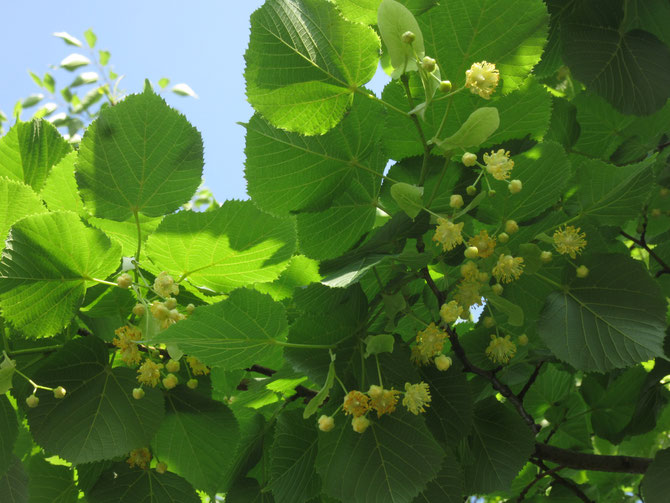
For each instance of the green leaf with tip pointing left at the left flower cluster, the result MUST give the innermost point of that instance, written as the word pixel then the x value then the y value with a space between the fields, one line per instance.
pixel 235 333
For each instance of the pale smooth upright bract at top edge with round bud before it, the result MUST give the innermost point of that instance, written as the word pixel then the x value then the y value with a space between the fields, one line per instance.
pixel 393 20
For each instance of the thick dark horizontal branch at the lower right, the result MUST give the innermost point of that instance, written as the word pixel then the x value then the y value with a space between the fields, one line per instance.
pixel 592 462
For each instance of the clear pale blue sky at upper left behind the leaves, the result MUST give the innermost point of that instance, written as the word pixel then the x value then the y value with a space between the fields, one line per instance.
pixel 201 43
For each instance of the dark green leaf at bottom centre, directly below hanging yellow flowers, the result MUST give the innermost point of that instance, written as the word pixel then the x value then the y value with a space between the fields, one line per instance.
pixel 392 461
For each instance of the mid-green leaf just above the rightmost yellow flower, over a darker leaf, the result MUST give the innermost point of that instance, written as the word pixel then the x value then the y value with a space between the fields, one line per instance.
pixel 613 194
